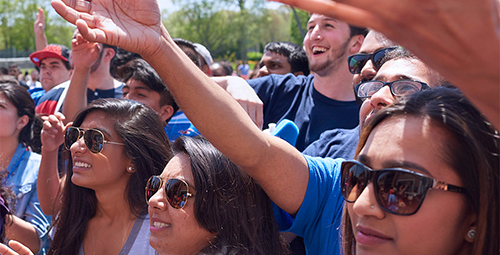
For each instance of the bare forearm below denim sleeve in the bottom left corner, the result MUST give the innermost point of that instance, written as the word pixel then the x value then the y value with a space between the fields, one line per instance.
pixel 22 231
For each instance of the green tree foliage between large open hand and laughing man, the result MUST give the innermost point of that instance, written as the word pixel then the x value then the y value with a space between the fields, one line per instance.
pixel 229 28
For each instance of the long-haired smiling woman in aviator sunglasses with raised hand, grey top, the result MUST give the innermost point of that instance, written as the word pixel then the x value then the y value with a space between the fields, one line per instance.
pixel 113 147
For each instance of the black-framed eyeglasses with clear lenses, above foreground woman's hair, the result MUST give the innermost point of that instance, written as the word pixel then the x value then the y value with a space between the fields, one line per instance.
pixel 398 88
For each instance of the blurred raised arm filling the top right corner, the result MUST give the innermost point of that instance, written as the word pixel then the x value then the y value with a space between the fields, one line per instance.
pixel 457 38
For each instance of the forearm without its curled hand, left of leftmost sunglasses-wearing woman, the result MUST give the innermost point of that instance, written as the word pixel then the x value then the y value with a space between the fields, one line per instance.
pixel 49 182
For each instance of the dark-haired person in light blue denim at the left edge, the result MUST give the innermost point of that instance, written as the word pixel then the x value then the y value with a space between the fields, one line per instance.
pixel 19 166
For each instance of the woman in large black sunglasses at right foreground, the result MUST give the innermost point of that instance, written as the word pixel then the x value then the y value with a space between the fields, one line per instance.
pixel 425 181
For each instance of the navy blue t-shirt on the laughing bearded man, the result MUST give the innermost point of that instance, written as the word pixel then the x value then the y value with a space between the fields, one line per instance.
pixel 295 98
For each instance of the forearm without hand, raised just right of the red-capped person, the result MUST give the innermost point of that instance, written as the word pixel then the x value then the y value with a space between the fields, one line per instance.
pixel 76 96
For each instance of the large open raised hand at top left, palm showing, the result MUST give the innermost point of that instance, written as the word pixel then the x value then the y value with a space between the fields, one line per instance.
pixel 129 24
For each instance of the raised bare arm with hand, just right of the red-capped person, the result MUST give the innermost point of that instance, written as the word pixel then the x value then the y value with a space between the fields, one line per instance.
pixel 84 55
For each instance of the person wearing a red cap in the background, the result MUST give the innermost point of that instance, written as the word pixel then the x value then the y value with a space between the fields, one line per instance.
pixel 54 65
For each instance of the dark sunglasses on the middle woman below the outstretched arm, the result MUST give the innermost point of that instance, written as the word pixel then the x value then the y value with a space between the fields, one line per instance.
pixel 176 191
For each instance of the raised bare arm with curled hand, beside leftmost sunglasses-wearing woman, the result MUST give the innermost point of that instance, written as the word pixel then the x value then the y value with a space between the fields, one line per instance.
pixel 49 183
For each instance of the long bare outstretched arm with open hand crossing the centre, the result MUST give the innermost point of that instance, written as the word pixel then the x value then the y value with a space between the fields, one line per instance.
pixel 279 168
